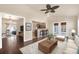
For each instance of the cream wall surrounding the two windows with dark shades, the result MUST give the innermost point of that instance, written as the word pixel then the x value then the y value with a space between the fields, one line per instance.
pixel 71 23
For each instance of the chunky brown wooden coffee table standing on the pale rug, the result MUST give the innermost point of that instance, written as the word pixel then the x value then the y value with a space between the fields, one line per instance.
pixel 47 46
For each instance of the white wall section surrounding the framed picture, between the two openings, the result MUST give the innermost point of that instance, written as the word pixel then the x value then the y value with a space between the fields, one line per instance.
pixel 28 34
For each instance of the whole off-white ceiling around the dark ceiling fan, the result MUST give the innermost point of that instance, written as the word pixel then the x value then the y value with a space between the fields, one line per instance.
pixel 33 10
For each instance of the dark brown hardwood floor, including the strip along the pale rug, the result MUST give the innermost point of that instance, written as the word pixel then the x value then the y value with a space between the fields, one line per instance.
pixel 11 45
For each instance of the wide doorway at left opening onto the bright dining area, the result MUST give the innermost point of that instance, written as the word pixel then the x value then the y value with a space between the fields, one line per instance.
pixel 13 37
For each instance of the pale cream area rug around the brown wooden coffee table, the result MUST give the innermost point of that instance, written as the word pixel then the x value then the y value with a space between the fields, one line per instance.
pixel 62 48
